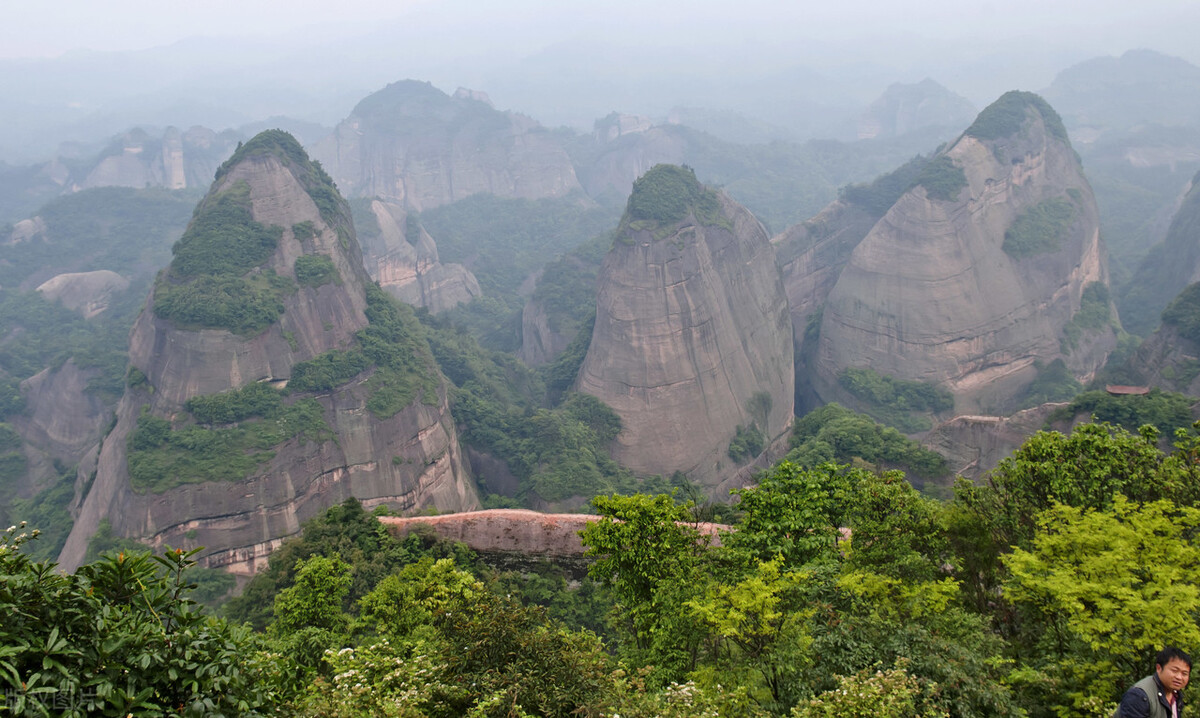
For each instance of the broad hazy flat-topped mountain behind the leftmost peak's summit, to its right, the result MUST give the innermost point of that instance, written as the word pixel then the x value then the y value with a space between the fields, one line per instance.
pixel 417 147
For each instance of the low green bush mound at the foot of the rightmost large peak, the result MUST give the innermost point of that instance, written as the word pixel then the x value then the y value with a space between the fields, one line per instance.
pixel 837 434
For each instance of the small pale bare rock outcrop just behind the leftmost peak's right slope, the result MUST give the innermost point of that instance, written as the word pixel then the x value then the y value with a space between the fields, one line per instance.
pixel 409 267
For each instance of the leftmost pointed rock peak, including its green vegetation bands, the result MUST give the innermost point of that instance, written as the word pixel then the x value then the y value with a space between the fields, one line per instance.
pixel 317 296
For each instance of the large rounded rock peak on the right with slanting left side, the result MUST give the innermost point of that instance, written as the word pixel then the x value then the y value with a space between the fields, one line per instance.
pixel 979 271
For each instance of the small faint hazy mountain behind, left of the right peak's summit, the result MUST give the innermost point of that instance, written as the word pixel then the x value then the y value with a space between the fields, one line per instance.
pixel 905 109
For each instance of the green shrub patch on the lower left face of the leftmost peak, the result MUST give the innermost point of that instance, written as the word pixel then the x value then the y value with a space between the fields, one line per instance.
pixel 236 434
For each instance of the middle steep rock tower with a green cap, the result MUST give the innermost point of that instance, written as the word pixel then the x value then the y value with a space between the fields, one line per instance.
pixel 693 337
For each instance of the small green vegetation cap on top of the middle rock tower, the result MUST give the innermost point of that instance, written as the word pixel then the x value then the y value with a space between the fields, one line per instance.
pixel 668 194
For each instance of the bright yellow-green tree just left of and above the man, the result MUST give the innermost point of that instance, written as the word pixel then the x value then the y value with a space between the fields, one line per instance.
pixel 1105 590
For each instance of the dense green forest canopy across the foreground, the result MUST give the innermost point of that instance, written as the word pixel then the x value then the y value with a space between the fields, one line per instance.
pixel 1036 593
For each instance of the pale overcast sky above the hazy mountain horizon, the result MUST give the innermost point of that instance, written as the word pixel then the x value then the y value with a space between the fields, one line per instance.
pixel 50 28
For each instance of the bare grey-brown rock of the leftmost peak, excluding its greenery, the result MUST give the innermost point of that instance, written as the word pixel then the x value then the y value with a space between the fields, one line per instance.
pixel 410 460
